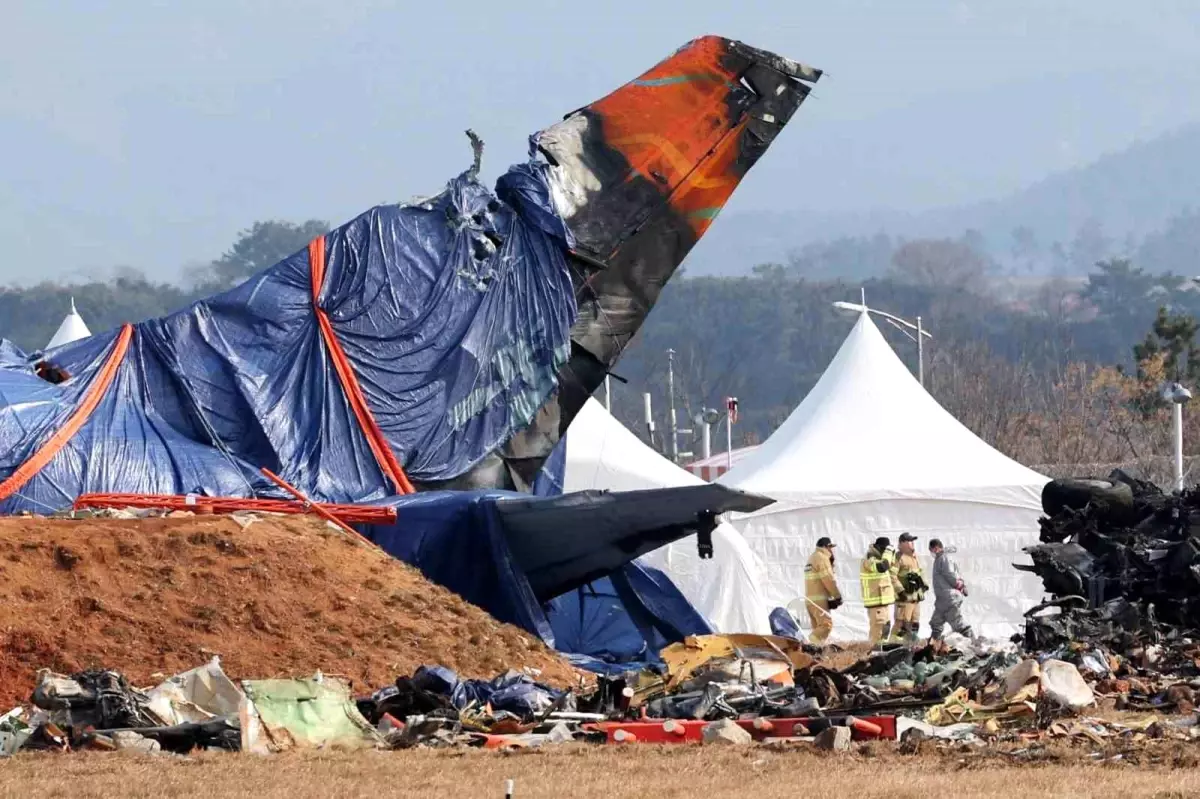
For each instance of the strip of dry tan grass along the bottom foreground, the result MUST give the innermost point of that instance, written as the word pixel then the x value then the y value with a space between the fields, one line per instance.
pixel 604 773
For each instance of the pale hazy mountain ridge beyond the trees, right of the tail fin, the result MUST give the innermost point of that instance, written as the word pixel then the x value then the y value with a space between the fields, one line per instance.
pixel 1141 202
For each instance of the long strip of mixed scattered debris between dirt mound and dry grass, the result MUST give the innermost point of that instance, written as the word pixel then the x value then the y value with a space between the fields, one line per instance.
pixel 715 690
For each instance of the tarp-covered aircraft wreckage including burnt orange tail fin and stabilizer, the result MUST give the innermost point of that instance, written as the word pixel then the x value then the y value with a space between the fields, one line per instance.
pixel 439 349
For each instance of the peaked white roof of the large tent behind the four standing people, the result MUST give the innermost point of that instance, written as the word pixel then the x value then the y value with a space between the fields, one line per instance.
pixel 869 430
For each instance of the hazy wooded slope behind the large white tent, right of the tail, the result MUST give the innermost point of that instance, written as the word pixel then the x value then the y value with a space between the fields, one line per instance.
pixel 769 338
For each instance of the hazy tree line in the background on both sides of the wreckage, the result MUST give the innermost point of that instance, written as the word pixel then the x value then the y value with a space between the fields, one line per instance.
pixel 1039 368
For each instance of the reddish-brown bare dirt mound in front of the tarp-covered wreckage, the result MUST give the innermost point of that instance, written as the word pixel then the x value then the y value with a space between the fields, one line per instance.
pixel 284 597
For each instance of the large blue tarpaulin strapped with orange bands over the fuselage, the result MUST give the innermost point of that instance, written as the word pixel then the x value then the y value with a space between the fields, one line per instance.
pixel 454 315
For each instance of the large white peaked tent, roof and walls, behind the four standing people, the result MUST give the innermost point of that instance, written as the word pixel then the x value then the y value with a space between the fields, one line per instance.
pixel 871 453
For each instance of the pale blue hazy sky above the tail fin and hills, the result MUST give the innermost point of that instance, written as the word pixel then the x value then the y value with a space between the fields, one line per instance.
pixel 147 134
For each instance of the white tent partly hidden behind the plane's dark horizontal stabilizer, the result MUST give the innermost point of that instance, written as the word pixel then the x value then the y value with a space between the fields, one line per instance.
pixel 602 454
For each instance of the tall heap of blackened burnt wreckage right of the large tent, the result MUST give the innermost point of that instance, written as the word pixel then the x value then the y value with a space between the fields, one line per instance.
pixel 1121 561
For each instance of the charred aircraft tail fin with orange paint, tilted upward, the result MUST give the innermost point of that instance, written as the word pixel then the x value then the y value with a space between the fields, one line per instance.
pixel 640 177
